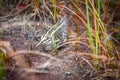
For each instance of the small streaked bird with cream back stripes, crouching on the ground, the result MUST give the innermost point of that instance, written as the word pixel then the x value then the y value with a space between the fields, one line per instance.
pixel 58 32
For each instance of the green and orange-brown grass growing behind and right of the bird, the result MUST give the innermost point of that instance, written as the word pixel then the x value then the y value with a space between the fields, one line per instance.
pixel 95 21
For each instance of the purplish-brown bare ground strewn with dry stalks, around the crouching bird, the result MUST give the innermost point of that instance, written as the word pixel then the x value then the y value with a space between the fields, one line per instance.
pixel 73 61
